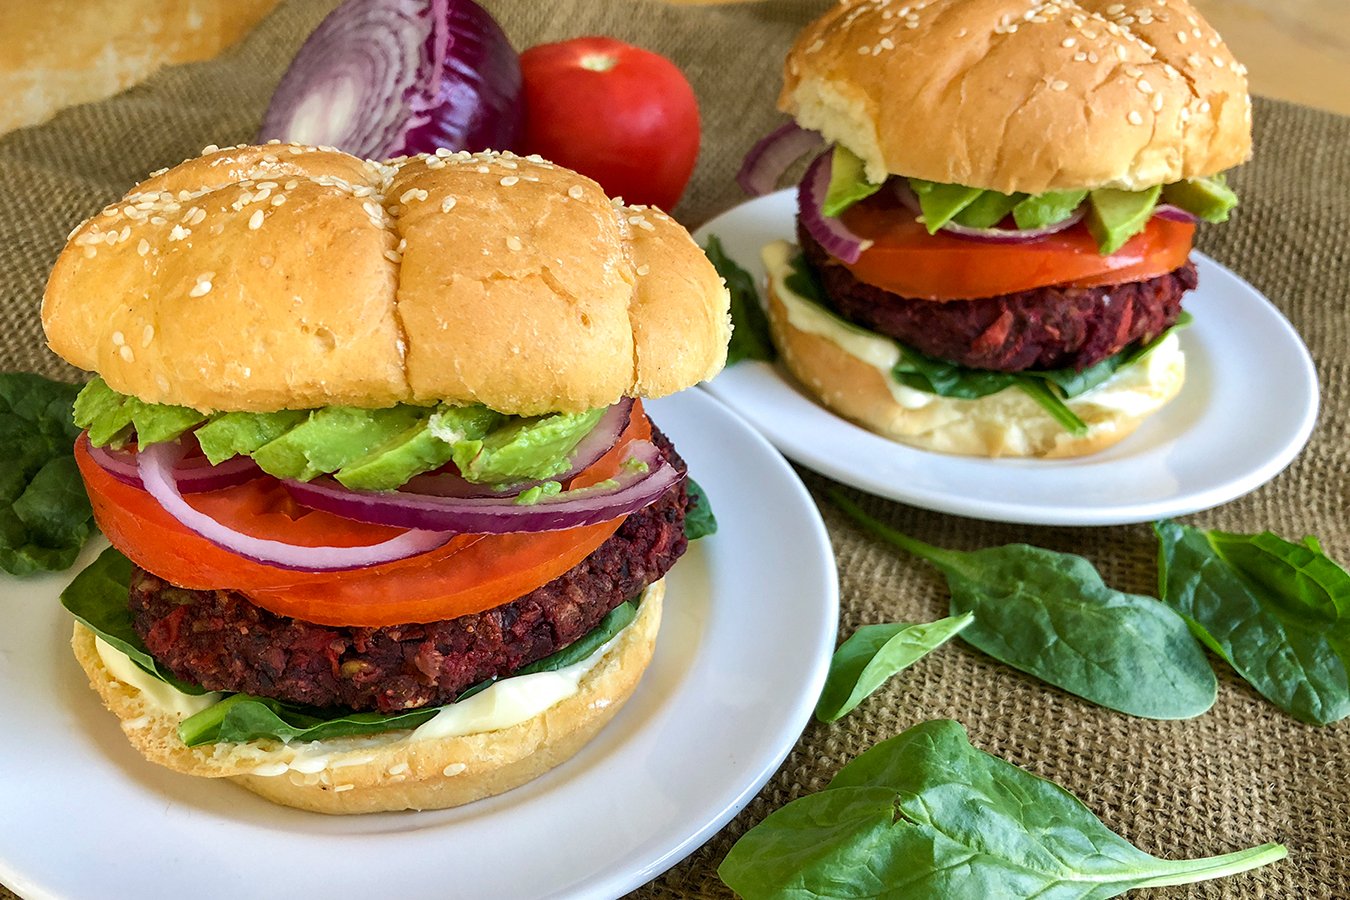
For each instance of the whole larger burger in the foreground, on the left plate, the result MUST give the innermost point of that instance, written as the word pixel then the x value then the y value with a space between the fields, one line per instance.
pixel 388 520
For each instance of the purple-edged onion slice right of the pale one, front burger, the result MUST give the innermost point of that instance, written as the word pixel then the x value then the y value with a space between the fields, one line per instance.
pixel 641 482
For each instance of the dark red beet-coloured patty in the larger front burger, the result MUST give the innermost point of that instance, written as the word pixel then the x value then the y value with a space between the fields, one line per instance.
pixel 225 643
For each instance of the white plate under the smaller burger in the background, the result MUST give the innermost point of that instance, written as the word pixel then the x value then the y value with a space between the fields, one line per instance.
pixel 1248 408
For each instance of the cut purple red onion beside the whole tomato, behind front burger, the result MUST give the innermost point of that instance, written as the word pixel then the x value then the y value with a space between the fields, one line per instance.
pixel 383 79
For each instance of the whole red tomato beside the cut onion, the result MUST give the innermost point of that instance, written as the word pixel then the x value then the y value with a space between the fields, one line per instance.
pixel 615 113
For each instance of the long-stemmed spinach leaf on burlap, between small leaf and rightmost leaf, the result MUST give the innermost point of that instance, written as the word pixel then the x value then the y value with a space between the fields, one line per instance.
pixel 1051 616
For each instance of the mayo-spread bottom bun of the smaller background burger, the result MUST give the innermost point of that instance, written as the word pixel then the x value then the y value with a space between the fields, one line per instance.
pixel 1005 424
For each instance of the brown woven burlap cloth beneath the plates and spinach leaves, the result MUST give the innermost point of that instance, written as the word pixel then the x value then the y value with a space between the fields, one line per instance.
pixel 1237 777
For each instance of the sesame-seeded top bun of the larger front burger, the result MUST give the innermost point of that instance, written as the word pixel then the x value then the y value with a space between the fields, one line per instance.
pixel 290 277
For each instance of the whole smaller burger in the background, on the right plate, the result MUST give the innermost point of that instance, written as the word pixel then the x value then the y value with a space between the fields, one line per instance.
pixel 996 242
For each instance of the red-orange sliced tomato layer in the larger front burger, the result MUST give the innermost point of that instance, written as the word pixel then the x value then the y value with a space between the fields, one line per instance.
pixel 470 574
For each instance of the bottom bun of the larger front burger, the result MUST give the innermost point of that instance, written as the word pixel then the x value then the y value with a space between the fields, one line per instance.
pixel 392 772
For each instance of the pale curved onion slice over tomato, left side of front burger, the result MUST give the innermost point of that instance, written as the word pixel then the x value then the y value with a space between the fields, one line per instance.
pixel 156 466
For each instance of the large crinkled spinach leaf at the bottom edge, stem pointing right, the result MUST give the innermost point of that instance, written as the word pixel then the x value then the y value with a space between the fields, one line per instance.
pixel 928 816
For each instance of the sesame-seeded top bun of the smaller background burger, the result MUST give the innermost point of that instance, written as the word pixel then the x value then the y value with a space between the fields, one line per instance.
pixel 1020 96
